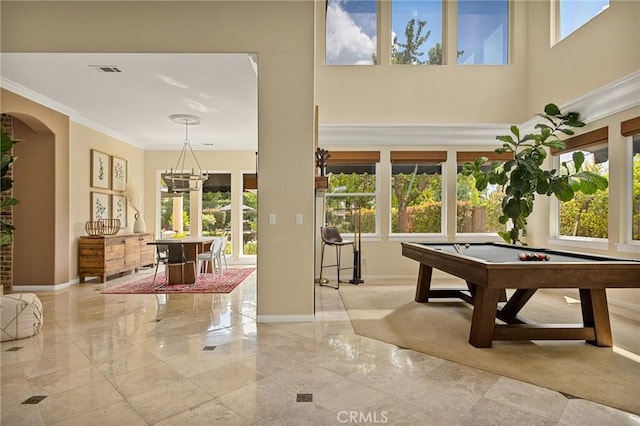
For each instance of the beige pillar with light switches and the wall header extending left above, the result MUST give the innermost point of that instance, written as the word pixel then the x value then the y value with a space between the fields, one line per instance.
pixel 281 33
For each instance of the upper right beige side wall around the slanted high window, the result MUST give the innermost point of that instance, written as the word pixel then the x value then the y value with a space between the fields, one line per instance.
pixel 605 50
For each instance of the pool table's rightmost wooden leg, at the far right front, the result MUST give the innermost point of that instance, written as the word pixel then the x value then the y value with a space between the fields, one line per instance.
pixel 595 313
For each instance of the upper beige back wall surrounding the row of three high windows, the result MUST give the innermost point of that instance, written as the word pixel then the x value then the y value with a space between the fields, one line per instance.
pixel 424 94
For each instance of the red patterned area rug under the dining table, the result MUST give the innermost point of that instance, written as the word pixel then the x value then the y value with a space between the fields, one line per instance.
pixel 205 284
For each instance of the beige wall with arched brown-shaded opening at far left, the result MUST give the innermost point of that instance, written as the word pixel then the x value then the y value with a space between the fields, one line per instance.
pixel 40 171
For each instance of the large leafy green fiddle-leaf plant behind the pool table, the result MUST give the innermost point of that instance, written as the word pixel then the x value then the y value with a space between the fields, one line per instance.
pixel 522 176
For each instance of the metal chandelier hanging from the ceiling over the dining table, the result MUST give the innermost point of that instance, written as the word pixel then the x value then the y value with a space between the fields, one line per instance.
pixel 180 178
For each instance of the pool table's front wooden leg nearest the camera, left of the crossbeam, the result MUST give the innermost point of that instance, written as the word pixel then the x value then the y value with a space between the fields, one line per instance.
pixel 483 320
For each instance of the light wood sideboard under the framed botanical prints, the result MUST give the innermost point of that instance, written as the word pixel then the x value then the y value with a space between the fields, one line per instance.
pixel 106 255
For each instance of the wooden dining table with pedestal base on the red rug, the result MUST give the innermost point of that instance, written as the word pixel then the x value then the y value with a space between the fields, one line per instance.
pixel 191 247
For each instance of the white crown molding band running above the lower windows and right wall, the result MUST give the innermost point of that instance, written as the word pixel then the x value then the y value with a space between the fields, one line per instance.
pixel 610 99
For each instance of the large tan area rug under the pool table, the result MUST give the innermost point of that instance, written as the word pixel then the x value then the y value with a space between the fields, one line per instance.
pixel 388 312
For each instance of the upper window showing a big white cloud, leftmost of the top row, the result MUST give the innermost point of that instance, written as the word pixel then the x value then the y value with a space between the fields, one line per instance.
pixel 351 32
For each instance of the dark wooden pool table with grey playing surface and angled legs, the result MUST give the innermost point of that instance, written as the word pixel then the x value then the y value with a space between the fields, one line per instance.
pixel 491 268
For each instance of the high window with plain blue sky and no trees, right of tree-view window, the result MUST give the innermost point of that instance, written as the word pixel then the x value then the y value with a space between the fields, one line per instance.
pixel 483 30
